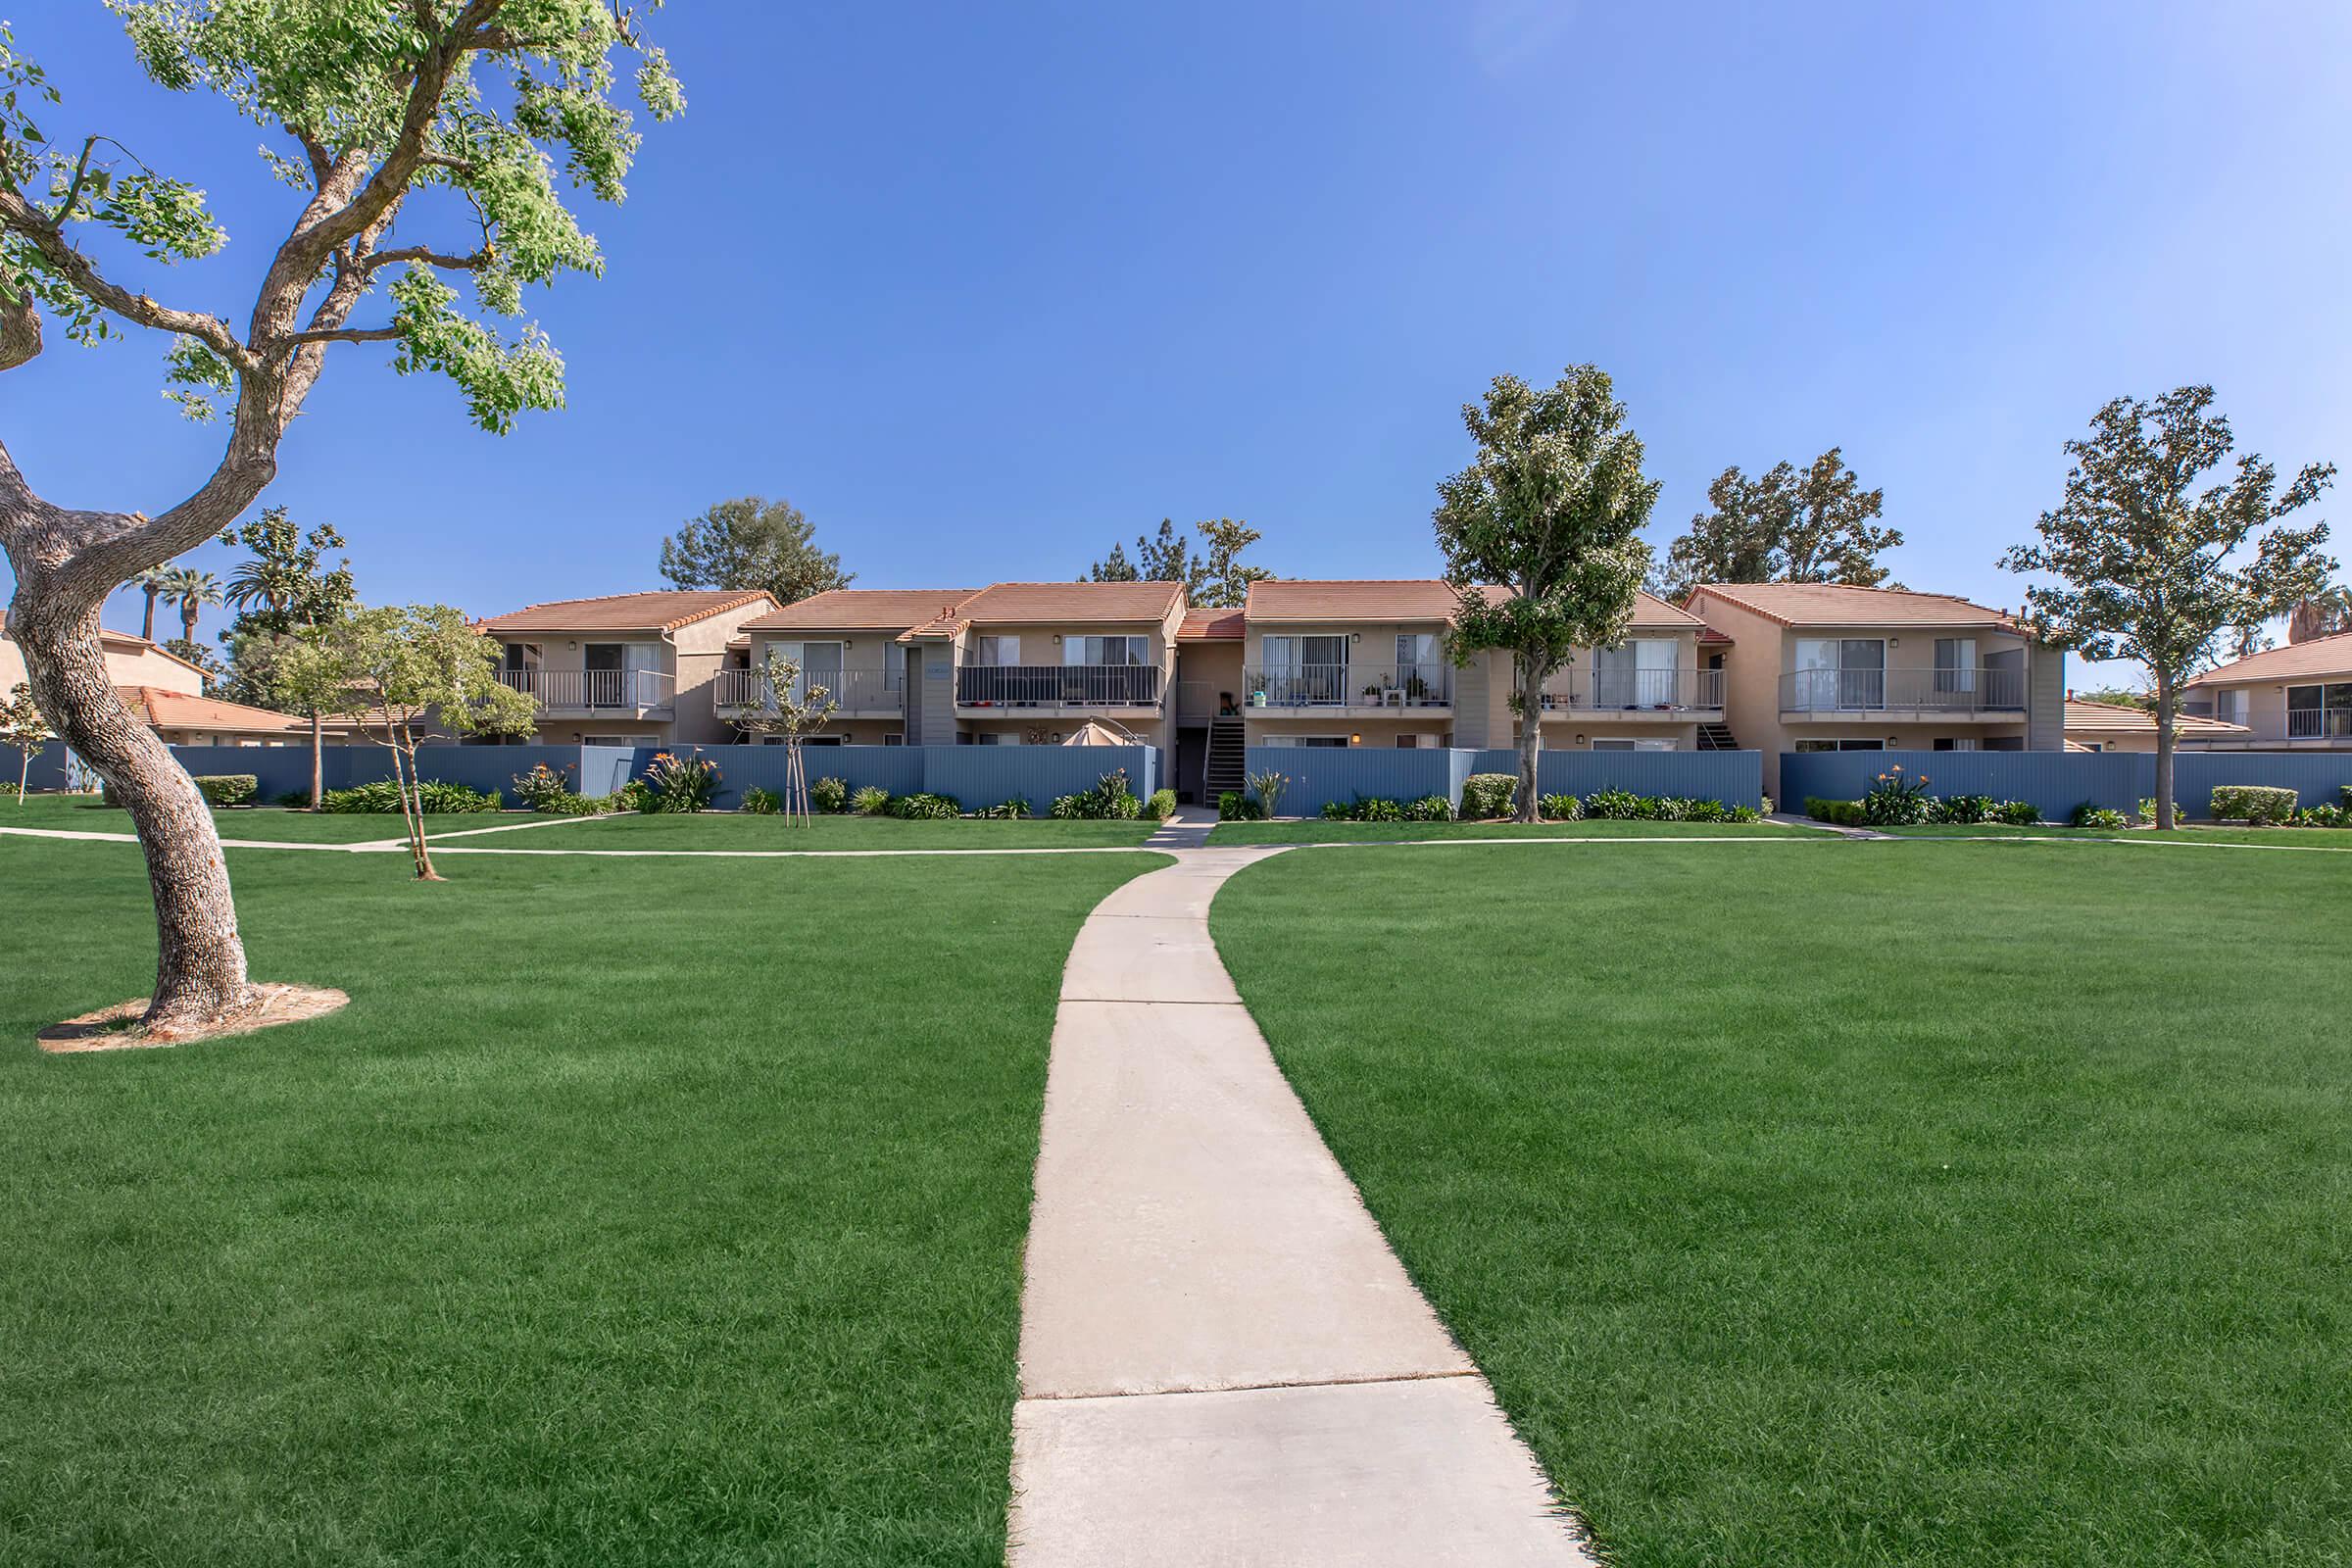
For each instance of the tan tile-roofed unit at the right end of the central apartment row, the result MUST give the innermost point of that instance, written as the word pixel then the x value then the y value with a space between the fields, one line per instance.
pixel 1824 666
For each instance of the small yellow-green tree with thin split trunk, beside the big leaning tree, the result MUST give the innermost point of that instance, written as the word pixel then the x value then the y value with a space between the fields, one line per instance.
pixel 396 674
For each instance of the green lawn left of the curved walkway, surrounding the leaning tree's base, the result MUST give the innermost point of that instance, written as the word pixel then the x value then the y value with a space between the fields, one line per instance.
pixel 636 1212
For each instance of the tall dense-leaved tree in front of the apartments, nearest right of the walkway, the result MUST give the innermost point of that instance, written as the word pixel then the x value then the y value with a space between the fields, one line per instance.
pixel 1551 516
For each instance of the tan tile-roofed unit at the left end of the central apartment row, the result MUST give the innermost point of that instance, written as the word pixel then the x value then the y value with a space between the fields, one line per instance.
pixel 632 669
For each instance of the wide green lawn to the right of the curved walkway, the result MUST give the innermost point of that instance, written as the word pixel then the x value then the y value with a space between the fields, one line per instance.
pixel 1864 1205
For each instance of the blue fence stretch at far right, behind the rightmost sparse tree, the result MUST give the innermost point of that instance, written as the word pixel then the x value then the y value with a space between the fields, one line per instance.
pixel 2062 782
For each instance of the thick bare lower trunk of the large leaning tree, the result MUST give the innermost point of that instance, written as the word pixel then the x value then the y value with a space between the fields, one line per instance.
pixel 201 958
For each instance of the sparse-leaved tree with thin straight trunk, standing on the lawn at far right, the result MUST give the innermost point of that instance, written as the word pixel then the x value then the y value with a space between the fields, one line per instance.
pixel 2151 568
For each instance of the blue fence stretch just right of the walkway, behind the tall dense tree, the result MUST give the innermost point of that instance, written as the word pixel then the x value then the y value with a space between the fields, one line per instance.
pixel 1342 775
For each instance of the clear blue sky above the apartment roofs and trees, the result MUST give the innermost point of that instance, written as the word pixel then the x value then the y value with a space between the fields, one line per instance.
pixel 987 288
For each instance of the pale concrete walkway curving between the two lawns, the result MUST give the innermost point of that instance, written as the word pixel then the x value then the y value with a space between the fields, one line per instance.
pixel 1222 1362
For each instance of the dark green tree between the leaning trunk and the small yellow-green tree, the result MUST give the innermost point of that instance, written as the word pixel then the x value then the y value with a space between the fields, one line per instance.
pixel 286 587
